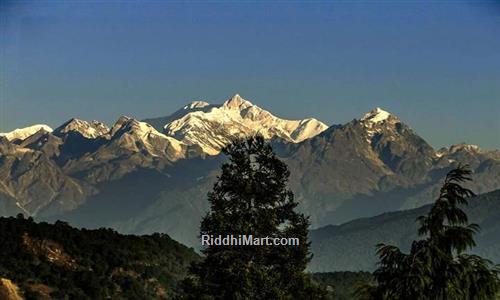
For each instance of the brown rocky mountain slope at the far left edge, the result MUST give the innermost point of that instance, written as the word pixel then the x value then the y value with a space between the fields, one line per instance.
pixel 30 182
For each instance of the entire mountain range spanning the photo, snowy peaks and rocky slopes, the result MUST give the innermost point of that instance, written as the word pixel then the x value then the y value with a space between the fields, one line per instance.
pixel 153 175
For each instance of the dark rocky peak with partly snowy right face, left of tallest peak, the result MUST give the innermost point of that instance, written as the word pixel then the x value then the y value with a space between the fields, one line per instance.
pixel 131 145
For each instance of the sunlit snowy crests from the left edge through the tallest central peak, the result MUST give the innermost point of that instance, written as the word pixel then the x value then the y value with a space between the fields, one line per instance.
pixel 205 127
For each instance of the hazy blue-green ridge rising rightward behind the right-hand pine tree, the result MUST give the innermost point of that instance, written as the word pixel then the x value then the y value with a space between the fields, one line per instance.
pixel 351 246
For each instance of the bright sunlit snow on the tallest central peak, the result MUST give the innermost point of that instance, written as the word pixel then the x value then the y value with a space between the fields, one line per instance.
pixel 216 125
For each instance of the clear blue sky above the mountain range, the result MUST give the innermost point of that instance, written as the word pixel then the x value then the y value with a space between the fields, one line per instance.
pixel 434 64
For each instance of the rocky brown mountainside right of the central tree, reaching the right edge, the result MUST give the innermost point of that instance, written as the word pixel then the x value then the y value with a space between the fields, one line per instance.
pixel 375 164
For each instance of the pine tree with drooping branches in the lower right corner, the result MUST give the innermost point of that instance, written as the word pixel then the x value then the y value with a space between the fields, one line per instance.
pixel 437 267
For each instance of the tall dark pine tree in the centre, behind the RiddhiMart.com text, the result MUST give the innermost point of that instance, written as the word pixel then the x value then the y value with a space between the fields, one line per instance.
pixel 251 198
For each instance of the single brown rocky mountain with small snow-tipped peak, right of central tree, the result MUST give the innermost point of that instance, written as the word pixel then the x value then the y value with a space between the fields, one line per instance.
pixel 369 155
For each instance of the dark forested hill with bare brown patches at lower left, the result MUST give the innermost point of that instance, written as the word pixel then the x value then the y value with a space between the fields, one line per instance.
pixel 56 261
